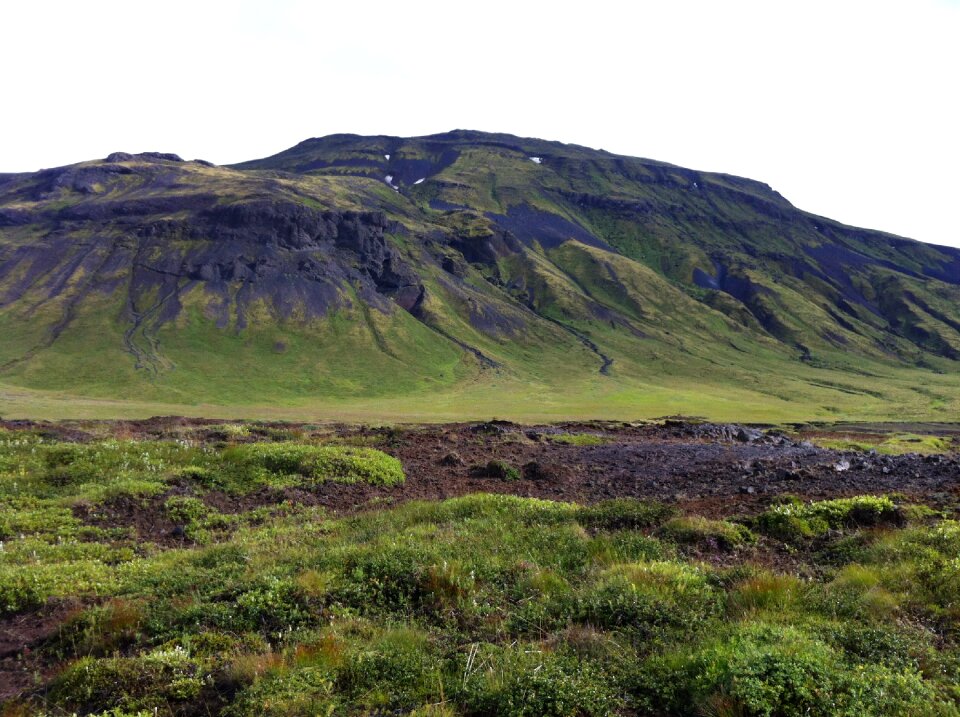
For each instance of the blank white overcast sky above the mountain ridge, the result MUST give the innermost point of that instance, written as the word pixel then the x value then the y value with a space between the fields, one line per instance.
pixel 849 108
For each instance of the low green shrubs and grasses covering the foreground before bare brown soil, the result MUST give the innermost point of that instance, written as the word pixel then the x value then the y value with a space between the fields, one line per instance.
pixel 478 605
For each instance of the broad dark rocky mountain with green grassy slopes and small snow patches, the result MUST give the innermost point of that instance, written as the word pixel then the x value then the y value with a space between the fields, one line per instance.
pixel 456 274
